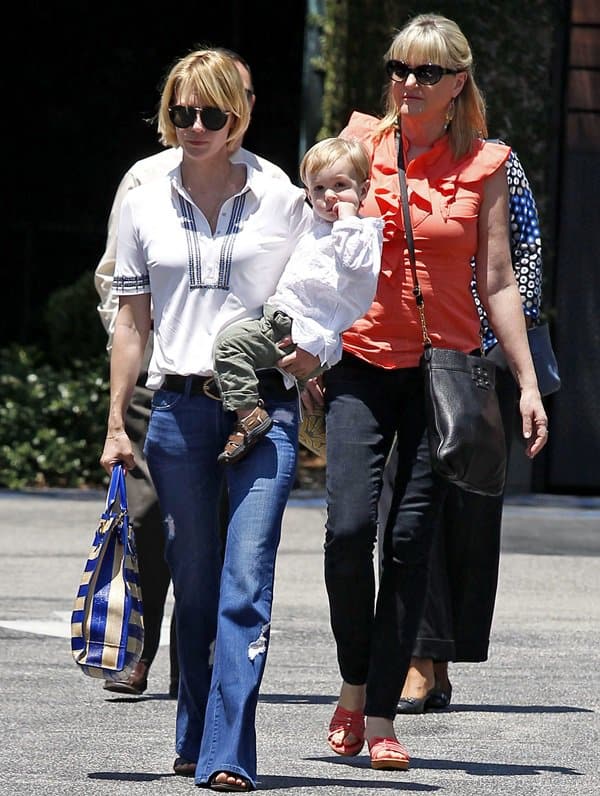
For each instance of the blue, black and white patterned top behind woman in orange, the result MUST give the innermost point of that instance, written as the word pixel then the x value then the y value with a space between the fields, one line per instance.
pixel 525 248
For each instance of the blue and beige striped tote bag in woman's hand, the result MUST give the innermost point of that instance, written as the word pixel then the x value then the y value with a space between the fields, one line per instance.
pixel 107 628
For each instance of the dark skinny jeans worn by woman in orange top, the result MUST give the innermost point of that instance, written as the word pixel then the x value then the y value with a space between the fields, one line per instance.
pixel 366 406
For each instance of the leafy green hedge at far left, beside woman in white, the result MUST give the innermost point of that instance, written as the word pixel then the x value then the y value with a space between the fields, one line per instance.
pixel 52 421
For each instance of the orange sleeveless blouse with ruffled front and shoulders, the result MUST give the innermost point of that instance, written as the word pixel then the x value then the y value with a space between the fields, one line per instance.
pixel 444 199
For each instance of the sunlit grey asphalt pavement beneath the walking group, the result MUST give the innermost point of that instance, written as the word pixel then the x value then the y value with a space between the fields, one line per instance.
pixel 524 722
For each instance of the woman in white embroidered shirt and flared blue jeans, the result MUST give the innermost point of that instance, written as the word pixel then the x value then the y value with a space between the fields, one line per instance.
pixel 203 247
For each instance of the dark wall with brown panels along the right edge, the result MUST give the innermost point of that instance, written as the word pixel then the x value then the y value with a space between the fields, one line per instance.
pixel 573 455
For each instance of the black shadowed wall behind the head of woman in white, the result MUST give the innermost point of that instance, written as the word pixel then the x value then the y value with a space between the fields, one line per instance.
pixel 84 78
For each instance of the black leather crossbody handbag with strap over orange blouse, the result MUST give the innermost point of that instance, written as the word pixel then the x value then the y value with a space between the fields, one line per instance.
pixel 464 423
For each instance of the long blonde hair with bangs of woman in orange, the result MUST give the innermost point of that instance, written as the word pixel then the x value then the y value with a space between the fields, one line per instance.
pixel 431 38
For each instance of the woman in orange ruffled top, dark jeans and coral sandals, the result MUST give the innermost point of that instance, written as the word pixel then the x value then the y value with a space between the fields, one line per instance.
pixel 458 201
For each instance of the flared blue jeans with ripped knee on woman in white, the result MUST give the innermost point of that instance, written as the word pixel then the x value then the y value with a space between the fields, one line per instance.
pixel 223 608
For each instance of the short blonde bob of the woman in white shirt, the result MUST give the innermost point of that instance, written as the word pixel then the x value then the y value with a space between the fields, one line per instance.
pixel 209 77
